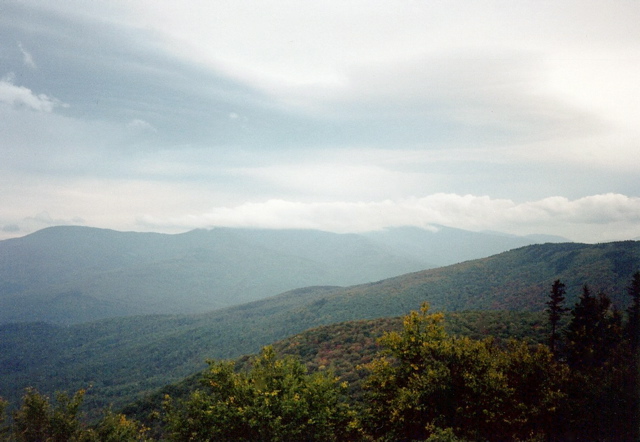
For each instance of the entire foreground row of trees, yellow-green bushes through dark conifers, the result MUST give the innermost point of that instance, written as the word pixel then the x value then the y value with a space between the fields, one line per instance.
pixel 423 383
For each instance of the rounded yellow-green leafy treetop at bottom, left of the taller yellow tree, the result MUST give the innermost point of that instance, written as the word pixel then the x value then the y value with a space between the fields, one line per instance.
pixel 276 400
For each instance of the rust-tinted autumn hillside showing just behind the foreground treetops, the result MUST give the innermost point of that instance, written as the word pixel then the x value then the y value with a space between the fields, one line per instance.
pixel 345 346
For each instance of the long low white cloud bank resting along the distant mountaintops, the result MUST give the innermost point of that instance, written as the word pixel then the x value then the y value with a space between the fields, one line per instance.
pixel 557 215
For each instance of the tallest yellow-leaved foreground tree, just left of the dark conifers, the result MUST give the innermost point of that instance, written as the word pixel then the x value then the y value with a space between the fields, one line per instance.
pixel 427 380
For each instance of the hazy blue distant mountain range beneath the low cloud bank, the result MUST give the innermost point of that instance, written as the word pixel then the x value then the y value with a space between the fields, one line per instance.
pixel 77 274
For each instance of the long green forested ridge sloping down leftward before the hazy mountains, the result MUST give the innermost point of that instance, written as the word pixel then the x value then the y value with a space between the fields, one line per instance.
pixel 125 357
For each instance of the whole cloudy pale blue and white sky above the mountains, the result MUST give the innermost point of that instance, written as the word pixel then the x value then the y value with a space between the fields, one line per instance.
pixel 345 116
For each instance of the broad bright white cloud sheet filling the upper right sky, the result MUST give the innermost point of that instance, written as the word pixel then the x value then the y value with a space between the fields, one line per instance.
pixel 495 73
